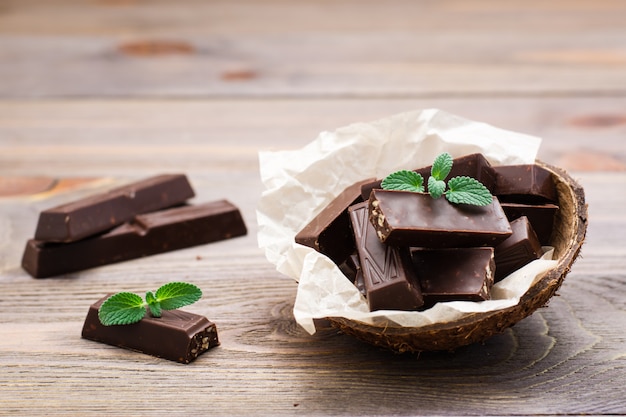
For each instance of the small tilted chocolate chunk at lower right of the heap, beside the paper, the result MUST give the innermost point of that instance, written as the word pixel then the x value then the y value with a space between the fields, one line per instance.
pixel 519 249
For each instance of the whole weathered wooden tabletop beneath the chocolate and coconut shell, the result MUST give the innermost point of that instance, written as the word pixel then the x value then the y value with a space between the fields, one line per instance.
pixel 95 94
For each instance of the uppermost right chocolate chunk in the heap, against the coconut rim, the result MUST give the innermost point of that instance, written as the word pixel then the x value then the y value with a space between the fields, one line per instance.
pixel 528 184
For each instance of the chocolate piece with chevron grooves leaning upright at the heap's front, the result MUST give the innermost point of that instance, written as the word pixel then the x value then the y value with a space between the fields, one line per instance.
pixel 388 278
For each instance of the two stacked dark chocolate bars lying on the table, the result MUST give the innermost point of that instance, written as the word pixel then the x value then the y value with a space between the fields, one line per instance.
pixel 143 218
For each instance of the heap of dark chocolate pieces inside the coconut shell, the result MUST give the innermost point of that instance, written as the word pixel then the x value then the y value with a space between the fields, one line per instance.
pixel 408 251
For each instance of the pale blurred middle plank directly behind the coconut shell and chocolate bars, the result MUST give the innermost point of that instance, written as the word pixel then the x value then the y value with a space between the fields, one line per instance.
pixel 117 137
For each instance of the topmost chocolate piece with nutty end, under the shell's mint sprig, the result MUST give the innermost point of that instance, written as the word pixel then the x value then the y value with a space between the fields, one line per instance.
pixel 414 219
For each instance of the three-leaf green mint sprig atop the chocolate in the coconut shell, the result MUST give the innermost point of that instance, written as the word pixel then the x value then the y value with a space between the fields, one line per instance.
pixel 461 190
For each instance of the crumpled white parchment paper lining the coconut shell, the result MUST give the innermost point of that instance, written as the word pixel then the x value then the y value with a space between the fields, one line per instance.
pixel 300 183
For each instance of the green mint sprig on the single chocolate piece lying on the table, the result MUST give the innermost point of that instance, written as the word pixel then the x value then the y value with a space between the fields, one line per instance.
pixel 127 308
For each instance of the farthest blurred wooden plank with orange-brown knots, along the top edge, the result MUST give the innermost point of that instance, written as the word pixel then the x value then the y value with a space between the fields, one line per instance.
pixel 278 48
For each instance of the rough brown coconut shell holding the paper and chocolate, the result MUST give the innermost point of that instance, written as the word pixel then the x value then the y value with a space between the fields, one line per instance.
pixel 568 235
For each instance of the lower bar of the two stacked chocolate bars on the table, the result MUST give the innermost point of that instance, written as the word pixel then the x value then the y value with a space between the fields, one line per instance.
pixel 148 234
